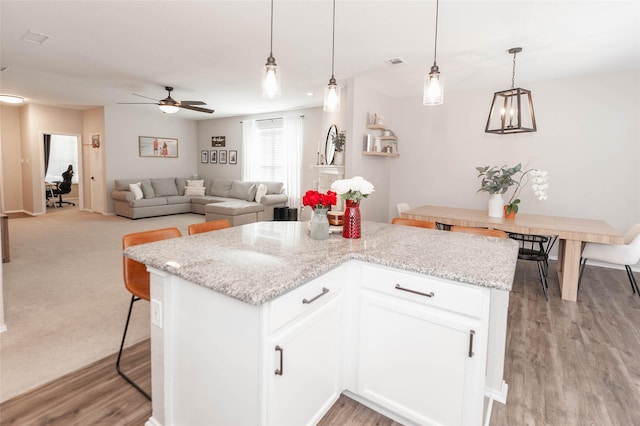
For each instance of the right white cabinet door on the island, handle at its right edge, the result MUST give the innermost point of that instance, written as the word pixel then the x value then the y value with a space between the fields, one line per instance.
pixel 415 360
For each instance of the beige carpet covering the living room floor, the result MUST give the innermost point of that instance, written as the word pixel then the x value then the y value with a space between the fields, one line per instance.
pixel 65 300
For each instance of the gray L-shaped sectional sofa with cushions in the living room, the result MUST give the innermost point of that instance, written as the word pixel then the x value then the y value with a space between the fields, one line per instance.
pixel 235 200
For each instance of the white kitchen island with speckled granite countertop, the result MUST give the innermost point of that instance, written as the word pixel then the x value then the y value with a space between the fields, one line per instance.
pixel 261 325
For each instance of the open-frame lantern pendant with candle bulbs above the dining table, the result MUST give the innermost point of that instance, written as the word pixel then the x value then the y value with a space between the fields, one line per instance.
pixel 511 110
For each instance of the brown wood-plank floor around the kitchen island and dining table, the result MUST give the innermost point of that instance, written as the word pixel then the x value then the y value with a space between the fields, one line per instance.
pixel 566 364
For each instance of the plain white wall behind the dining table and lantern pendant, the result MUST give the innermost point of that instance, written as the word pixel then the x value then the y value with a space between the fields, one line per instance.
pixel 589 143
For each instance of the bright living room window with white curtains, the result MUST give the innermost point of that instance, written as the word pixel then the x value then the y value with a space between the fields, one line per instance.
pixel 272 151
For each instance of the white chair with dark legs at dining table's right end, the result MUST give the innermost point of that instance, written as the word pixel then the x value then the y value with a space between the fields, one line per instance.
pixel 627 255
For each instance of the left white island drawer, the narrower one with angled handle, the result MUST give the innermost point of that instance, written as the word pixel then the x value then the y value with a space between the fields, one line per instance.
pixel 304 299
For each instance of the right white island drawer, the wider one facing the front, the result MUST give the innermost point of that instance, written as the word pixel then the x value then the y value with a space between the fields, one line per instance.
pixel 437 292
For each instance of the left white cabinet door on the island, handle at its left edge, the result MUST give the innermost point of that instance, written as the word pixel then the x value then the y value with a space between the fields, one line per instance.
pixel 305 374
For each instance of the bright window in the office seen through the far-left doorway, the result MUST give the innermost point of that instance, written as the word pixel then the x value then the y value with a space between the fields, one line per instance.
pixel 62 150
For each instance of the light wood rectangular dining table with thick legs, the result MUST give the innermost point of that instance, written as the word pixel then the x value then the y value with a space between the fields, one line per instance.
pixel 572 233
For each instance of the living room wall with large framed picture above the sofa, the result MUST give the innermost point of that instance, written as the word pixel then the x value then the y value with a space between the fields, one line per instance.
pixel 123 126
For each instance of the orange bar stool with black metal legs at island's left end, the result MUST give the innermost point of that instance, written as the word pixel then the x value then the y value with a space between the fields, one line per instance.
pixel 137 281
